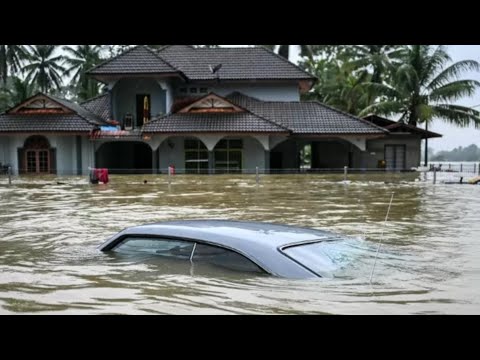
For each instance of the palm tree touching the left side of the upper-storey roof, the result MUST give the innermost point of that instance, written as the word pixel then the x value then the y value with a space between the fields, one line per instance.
pixel 79 60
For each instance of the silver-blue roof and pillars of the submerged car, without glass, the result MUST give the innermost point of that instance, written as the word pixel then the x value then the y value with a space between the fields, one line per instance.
pixel 257 240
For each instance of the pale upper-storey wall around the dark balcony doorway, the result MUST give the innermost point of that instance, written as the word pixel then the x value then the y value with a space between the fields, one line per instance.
pixel 124 97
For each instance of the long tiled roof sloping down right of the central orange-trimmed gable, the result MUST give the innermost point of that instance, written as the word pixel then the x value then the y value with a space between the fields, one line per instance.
pixel 307 117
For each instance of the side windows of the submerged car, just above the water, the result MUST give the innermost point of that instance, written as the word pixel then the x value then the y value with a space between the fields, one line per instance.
pixel 186 250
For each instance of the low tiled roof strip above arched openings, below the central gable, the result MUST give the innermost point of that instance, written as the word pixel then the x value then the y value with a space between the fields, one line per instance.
pixel 207 122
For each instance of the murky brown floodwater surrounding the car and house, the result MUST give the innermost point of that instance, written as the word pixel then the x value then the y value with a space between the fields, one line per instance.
pixel 429 261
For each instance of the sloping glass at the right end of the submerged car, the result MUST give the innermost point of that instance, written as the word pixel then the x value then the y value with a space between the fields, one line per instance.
pixel 322 257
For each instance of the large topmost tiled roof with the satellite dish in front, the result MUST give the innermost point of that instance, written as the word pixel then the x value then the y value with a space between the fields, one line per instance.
pixel 245 63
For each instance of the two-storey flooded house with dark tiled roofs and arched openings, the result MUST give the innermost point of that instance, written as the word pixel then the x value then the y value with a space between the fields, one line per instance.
pixel 221 110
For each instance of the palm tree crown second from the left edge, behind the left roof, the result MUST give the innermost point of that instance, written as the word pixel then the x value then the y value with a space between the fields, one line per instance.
pixel 44 68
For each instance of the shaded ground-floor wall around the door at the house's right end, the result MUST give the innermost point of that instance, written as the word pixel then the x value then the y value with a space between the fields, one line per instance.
pixel 376 150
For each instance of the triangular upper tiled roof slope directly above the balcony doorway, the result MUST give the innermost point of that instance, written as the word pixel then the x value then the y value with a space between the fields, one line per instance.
pixel 138 60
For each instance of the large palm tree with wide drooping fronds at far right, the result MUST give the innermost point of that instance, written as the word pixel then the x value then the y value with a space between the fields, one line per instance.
pixel 425 87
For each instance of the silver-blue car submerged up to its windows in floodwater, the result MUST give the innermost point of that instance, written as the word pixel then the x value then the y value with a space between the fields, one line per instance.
pixel 279 250
